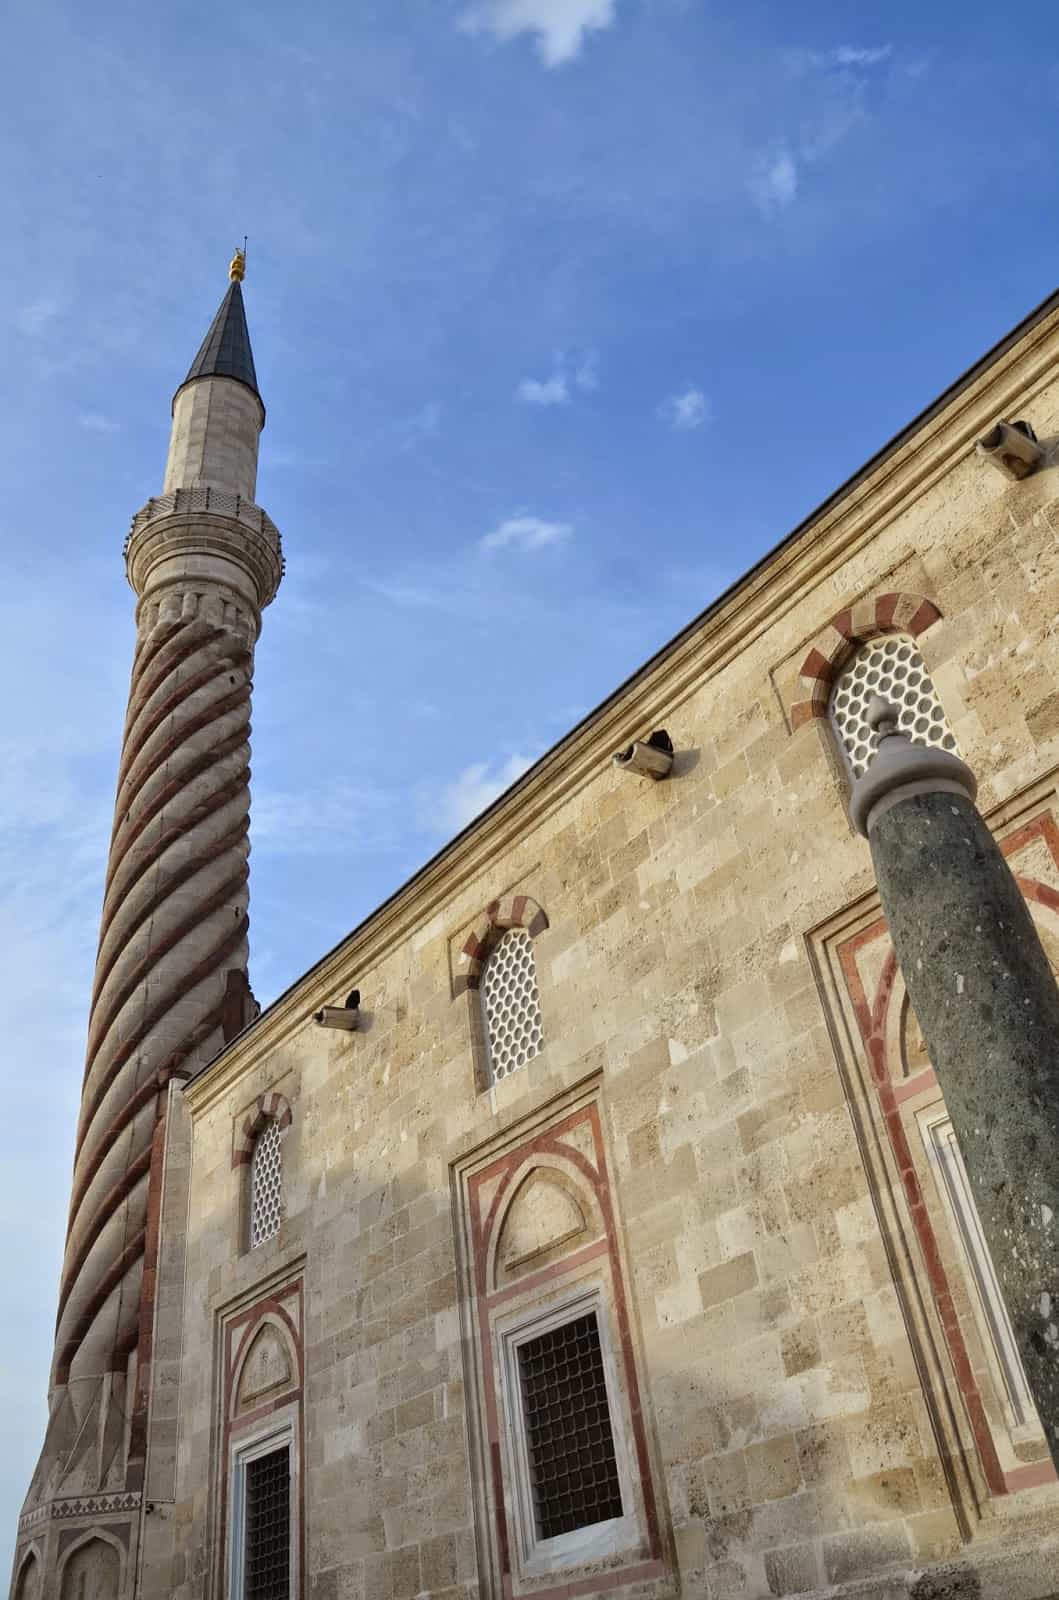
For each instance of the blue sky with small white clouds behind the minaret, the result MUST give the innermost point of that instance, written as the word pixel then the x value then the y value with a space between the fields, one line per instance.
pixel 564 313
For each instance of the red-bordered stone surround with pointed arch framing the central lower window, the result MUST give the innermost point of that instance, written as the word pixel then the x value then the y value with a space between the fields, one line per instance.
pixel 541 1255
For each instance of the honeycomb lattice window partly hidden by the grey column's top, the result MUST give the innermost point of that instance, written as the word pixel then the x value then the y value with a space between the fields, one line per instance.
pixel 893 668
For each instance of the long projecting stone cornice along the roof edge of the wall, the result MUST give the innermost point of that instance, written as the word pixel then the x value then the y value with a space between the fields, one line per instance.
pixel 940 442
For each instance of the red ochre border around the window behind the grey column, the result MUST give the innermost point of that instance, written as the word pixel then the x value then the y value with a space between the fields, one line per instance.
pixel 873 1023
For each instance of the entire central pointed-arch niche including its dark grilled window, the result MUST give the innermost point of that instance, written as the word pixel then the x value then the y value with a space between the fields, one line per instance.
pixel 546 1282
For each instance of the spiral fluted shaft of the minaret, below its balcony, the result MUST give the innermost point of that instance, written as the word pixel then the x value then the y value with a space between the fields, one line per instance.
pixel 174 927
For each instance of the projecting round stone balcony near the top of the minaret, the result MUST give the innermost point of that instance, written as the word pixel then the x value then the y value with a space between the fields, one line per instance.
pixel 177 532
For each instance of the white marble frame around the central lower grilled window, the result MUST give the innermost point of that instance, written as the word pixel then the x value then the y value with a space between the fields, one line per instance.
pixel 597 1542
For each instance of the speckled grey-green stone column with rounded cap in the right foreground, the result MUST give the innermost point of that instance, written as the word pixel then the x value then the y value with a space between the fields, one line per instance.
pixel 988 1006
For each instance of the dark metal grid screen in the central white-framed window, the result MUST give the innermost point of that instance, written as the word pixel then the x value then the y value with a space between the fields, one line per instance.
pixel 573 1468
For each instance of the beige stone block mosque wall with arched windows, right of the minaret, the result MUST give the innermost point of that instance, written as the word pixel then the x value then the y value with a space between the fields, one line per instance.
pixel 690 1158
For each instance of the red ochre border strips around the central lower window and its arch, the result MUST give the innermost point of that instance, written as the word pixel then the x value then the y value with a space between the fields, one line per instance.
pixel 482 1228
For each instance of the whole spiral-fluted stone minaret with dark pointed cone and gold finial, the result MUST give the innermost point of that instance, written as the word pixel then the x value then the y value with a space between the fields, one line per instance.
pixel 172 969
